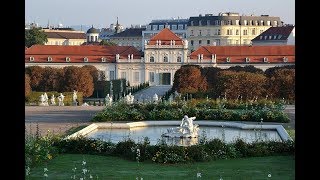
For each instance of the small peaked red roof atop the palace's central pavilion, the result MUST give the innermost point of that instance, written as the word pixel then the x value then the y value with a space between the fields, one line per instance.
pixel 165 35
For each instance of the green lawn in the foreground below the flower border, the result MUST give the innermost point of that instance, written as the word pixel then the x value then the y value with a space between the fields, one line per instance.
pixel 107 167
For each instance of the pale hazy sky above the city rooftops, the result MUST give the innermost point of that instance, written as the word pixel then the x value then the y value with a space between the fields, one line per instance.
pixel 101 13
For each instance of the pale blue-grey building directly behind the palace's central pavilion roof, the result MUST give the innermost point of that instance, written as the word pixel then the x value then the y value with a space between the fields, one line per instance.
pixel 178 26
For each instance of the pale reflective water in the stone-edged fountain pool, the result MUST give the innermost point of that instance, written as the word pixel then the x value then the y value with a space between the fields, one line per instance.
pixel 154 133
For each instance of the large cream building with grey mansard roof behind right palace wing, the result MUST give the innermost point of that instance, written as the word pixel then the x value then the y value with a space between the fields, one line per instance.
pixel 227 29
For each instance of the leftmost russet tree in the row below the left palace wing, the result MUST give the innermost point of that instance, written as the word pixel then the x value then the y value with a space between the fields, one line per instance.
pixel 36 77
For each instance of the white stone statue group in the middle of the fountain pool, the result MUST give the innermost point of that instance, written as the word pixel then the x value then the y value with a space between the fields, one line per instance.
pixel 186 129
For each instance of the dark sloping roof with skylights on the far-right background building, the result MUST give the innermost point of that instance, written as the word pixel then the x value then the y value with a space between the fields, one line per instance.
pixel 276 33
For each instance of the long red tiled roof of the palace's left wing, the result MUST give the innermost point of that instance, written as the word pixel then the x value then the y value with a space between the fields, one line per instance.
pixel 78 53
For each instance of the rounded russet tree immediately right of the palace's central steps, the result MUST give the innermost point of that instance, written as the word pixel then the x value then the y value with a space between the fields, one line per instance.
pixel 188 79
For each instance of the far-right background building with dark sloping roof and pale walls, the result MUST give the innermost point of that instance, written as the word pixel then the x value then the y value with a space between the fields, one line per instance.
pixel 284 35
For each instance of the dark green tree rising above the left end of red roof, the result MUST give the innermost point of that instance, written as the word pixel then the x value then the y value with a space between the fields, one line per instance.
pixel 34 36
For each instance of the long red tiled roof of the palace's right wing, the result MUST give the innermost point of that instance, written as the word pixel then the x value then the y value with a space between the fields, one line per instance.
pixel 237 54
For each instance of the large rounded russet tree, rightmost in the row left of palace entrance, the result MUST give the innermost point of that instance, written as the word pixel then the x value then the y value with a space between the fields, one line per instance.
pixel 76 78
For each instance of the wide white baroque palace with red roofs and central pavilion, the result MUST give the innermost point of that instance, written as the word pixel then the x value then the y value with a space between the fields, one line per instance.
pixel 163 55
